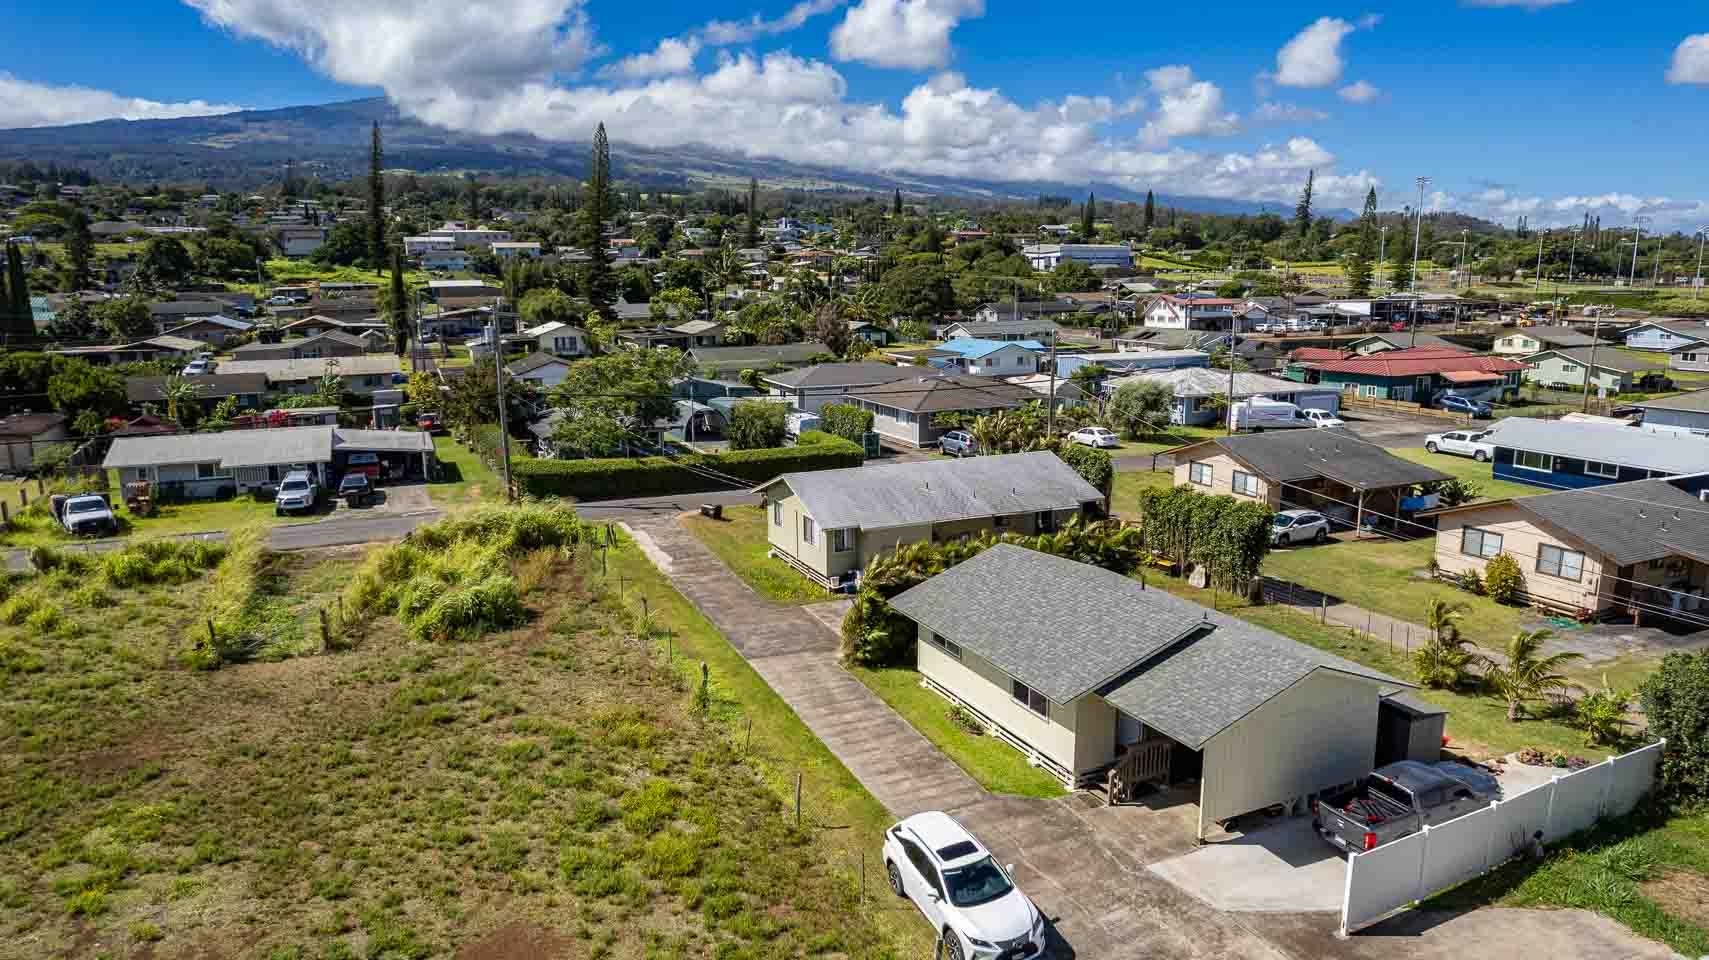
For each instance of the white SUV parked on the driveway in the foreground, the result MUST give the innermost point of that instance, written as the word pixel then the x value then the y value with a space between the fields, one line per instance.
pixel 965 894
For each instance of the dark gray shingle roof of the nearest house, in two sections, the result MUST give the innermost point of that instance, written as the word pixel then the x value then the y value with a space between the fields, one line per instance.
pixel 1081 629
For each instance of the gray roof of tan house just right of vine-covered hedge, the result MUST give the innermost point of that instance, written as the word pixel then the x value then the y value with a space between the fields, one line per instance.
pixel 1334 454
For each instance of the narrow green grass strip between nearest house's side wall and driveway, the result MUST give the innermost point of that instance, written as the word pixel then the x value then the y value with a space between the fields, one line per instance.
pixel 987 759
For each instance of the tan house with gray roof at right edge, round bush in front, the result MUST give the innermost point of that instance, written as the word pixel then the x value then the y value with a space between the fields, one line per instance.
pixel 1638 549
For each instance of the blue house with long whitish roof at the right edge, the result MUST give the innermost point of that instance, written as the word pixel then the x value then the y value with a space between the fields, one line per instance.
pixel 1568 455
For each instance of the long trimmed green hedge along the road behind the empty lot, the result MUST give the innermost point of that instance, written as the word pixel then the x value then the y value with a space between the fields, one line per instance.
pixel 661 476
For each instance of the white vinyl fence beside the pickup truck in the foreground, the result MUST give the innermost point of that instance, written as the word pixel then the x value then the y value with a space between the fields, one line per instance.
pixel 1412 869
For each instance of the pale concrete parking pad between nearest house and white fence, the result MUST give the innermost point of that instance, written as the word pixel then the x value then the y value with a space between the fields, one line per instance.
pixel 1277 869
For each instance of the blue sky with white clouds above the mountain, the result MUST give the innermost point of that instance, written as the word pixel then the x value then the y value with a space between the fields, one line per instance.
pixel 1513 107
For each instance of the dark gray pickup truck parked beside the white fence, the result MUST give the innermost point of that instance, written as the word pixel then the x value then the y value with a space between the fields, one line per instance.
pixel 1399 800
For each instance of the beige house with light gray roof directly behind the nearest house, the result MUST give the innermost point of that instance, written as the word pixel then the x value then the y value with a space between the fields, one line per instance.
pixel 831 524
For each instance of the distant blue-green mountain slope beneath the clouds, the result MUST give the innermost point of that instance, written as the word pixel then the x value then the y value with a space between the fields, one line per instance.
pixel 331 141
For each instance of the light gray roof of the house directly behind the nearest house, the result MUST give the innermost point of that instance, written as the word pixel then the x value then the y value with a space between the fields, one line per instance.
pixel 939 491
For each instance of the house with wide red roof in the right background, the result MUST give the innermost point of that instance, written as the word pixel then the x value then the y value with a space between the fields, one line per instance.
pixel 1418 375
